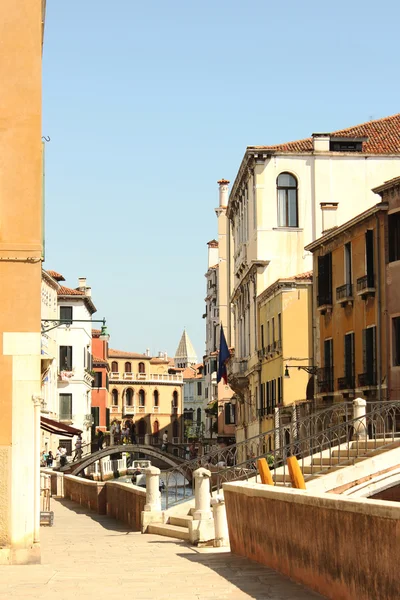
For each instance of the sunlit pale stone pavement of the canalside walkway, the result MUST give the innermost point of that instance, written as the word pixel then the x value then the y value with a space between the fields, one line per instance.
pixel 85 555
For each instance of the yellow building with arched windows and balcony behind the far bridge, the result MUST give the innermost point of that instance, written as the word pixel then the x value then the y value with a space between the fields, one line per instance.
pixel 147 391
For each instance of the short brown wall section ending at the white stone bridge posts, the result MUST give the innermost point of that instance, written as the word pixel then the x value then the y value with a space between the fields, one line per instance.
pixel 126 502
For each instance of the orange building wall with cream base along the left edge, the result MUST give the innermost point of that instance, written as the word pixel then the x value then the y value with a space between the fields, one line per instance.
pixel 21 212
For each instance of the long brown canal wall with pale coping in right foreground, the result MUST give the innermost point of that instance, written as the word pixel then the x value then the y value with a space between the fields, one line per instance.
pixel 340 547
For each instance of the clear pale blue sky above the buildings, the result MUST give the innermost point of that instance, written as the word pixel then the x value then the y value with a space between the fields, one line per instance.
pixel 148 104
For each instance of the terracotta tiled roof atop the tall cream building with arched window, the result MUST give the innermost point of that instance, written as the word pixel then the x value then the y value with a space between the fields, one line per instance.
pixel 383 138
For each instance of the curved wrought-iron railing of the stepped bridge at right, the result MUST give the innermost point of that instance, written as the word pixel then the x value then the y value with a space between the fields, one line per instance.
pixel 309 436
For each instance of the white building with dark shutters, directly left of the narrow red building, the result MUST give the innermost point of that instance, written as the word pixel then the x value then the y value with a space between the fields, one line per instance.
pixel 75 365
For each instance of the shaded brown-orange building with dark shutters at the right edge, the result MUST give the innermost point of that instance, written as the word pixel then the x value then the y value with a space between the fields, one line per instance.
pixel 356 300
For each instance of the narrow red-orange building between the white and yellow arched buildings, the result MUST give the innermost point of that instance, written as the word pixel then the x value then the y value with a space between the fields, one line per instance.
pixel 100 387
